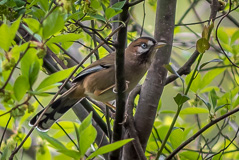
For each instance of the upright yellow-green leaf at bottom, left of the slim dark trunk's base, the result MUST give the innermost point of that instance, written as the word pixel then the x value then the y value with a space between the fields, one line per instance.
pixel 87 137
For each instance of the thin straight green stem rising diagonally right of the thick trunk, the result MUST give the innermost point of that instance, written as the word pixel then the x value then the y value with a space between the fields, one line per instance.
pixel 179 109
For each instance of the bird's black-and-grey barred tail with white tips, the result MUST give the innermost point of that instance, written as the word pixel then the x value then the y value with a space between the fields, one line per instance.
pixel 53 113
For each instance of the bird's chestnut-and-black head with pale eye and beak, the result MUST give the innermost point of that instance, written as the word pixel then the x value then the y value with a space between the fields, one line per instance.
pixel 144 48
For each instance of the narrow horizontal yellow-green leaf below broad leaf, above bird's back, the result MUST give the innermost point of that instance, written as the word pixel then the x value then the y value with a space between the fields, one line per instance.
pixel 64 38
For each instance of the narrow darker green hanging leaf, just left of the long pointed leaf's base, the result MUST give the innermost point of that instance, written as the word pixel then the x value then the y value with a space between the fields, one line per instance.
pixel 33 71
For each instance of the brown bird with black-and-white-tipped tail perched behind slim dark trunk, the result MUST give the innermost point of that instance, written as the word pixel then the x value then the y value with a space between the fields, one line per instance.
pixel 97 81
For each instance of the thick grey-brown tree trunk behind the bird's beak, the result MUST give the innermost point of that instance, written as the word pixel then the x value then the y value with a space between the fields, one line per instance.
pixel 154 84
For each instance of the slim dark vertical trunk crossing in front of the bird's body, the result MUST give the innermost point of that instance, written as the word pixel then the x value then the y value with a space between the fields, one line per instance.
pixel 120 83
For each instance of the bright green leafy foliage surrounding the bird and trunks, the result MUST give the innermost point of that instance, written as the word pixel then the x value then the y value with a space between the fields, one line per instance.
pixel 27 81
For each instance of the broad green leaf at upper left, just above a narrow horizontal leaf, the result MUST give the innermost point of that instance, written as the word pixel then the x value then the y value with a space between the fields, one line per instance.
pixel 52 24
